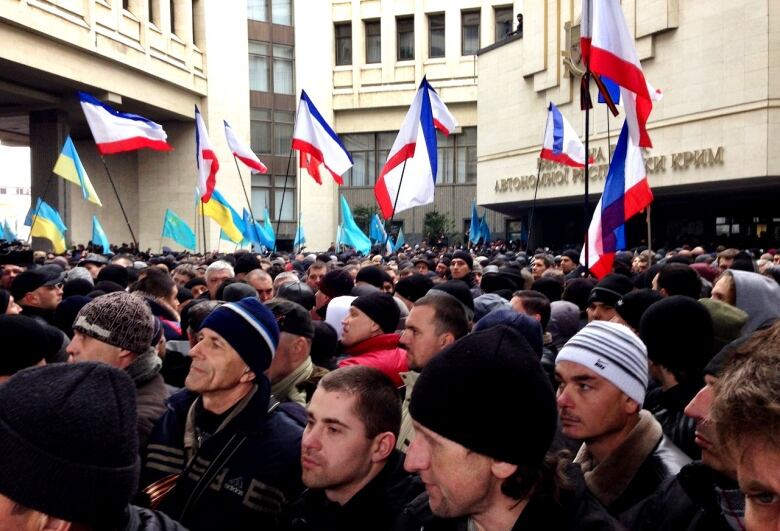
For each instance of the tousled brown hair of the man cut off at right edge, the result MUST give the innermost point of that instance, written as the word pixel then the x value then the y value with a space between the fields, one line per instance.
pixel 747 397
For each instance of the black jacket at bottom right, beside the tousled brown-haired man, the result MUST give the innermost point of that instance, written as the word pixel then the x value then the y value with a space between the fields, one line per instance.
pixel 686 502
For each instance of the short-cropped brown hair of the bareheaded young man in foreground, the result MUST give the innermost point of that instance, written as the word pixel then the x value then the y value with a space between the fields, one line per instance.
pixel 377 404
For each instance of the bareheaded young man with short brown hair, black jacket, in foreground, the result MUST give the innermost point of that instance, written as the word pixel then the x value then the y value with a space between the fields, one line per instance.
pixel 354 475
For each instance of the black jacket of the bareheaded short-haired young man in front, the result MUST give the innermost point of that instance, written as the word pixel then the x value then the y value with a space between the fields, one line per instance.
pixel 375 507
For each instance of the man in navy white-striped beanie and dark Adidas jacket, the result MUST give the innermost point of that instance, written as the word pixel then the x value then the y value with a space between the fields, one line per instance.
pixel 236 450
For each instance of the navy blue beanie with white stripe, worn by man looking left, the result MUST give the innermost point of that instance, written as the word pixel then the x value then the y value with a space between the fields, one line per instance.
pixel 250 328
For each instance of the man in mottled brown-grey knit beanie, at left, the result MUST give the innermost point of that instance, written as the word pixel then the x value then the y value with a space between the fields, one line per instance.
pixel 117 329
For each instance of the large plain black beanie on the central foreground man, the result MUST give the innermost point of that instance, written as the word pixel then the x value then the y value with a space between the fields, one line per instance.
pixel 497 362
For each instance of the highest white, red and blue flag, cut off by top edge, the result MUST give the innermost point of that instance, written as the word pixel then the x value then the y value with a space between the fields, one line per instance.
pixel 608 49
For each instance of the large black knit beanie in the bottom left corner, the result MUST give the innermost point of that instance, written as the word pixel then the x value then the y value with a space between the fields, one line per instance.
pixel 68 441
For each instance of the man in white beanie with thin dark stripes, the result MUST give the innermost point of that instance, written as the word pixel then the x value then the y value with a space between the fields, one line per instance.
pixel 602 381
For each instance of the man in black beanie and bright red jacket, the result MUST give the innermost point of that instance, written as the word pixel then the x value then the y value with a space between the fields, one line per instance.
pixel 369 336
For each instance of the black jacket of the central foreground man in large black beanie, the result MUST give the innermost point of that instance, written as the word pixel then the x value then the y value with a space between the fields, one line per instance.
pixel 577 510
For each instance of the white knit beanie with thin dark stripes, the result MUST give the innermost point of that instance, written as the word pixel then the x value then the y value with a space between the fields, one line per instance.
pixel 612 351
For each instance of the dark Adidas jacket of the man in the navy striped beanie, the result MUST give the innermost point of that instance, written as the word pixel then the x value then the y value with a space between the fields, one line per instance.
pixel 253 486
